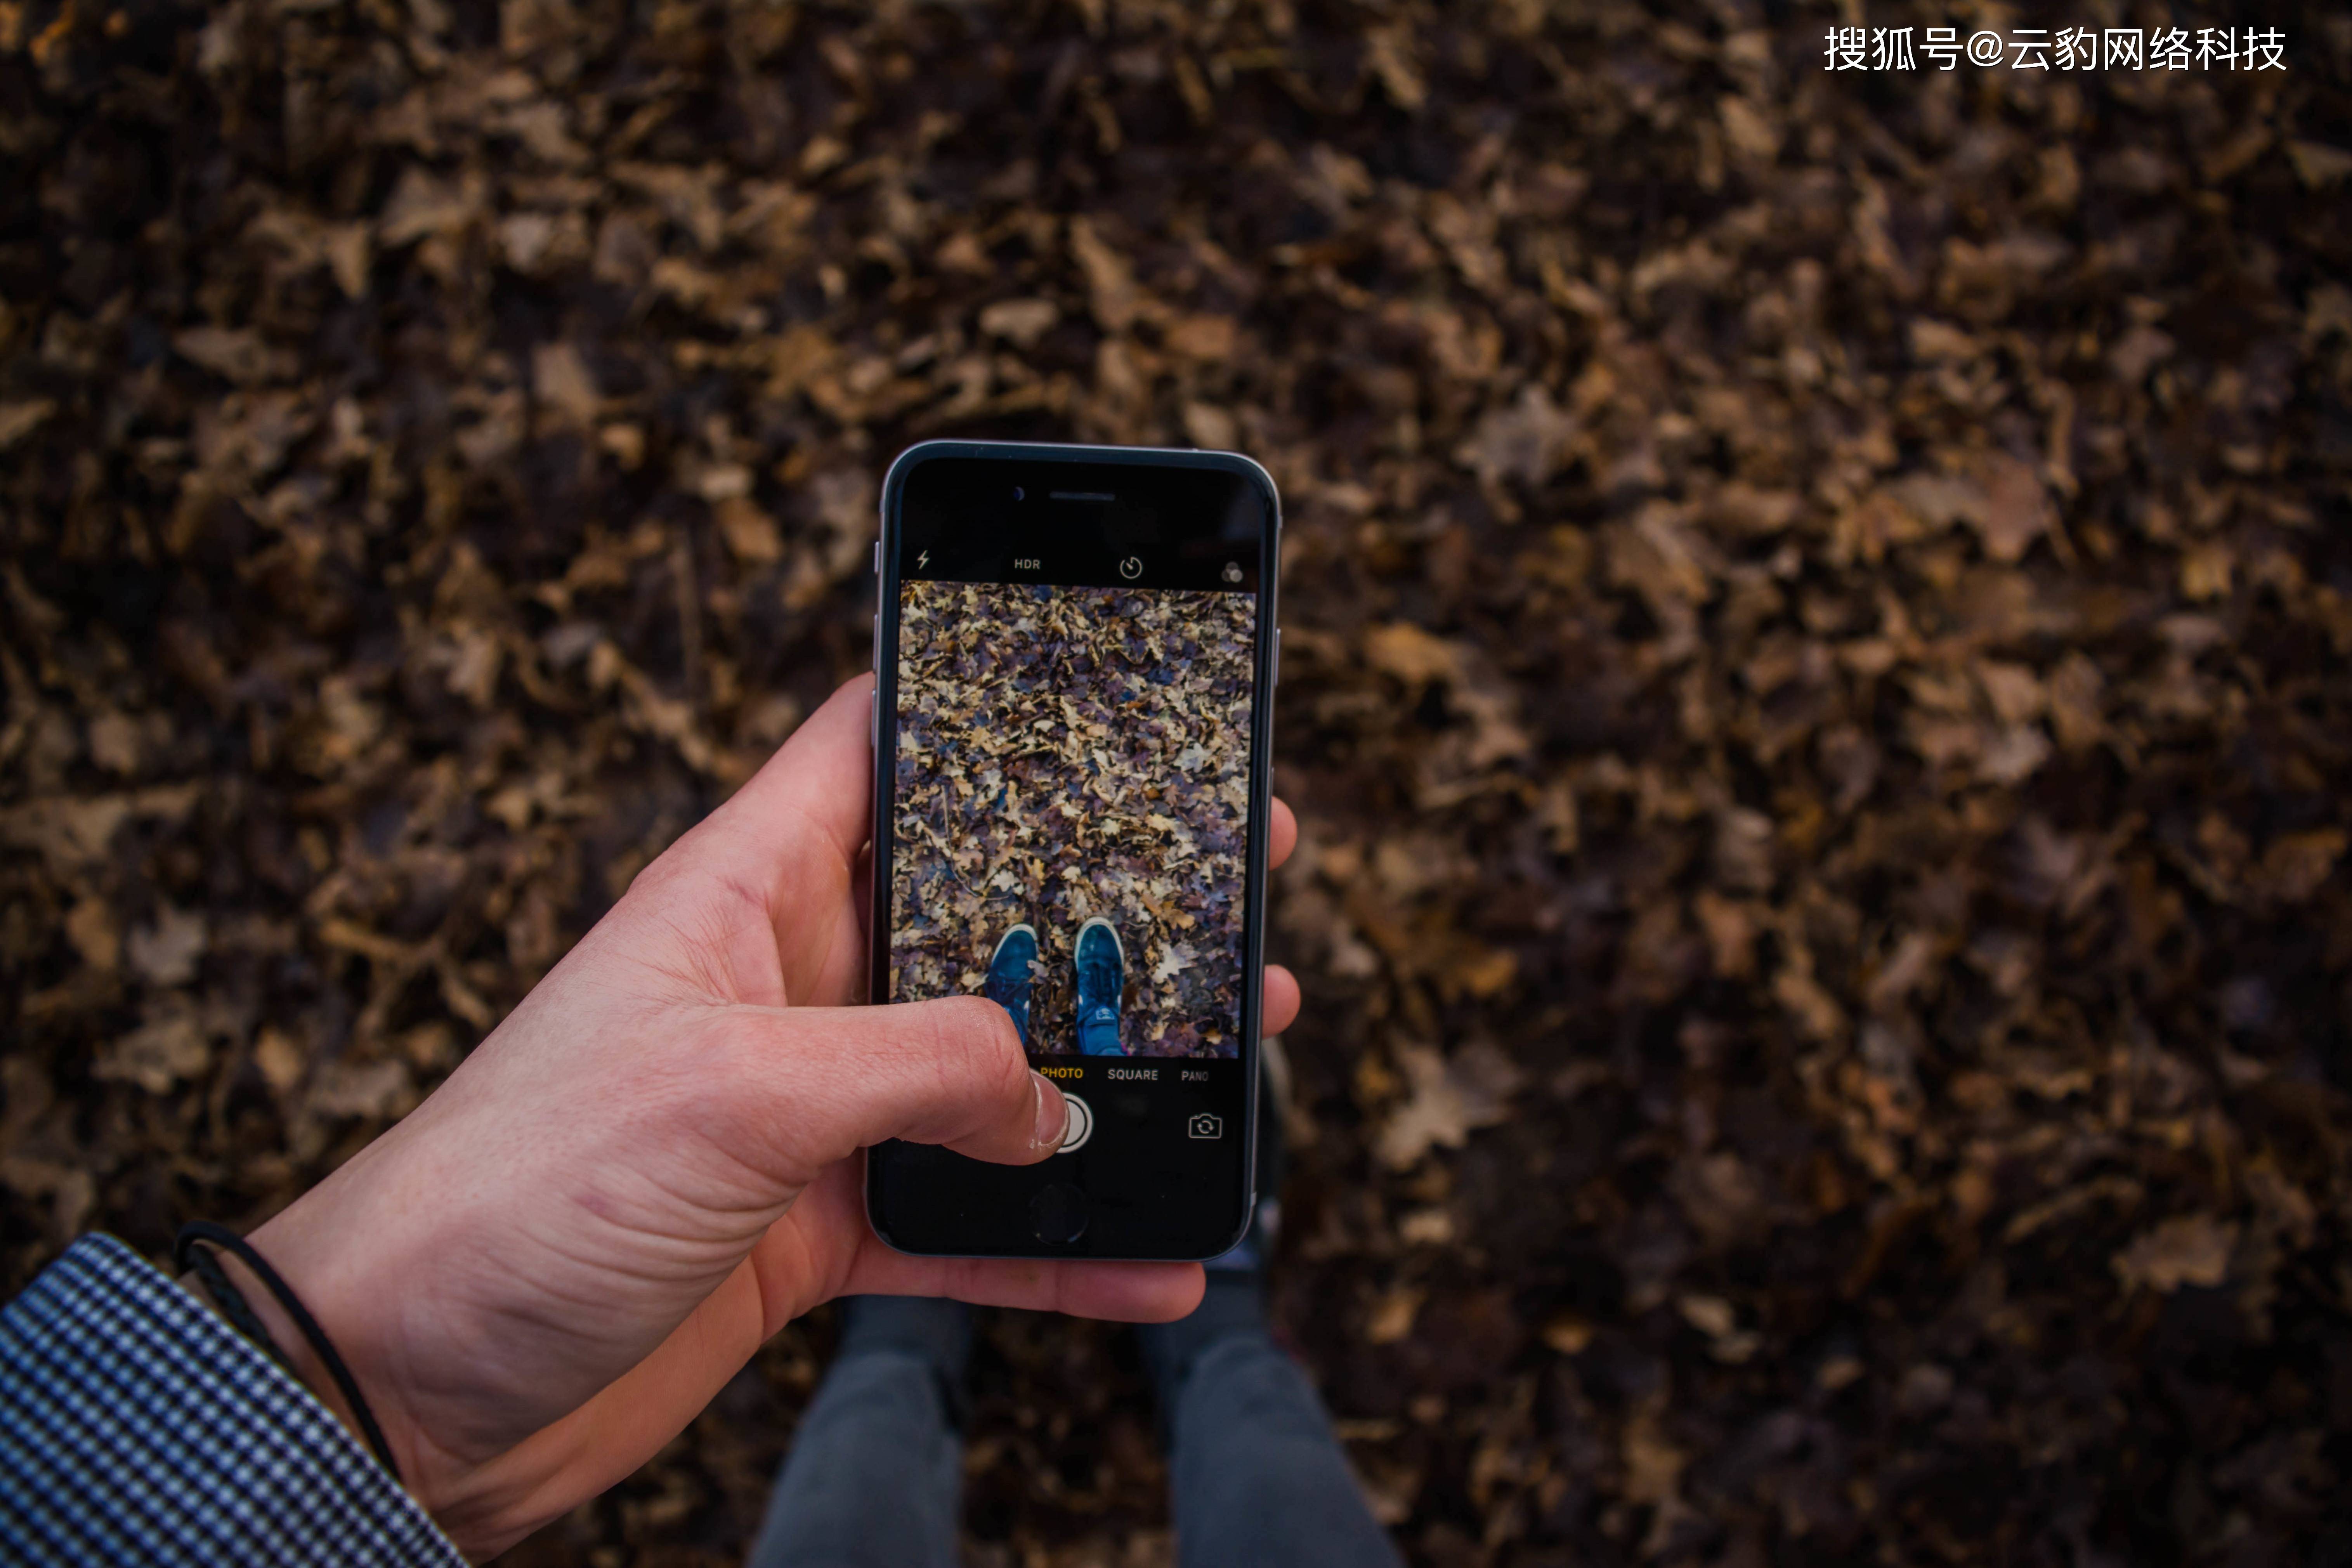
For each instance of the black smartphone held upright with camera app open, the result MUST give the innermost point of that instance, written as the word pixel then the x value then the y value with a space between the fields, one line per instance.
pixel 1076 652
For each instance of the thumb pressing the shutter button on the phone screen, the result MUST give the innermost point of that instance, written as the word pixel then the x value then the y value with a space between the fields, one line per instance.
pixel 949 1073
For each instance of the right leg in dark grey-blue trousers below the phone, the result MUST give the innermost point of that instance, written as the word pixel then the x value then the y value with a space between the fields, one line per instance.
pixel 1257 1473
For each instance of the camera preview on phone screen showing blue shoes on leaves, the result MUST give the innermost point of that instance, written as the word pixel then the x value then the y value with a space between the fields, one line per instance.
pixel 1071 812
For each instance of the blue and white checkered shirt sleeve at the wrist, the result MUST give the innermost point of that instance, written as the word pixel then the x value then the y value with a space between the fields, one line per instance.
pixel 140 1428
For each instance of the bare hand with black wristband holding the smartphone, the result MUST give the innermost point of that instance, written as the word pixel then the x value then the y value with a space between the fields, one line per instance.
pixel 556 1261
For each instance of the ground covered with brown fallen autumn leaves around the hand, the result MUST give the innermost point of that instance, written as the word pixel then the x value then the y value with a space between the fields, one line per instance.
pixel 1817 685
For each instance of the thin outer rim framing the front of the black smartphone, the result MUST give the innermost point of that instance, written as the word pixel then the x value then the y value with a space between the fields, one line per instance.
pixel 886 659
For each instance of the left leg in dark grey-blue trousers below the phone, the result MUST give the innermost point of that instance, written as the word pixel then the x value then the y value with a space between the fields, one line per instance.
pixel 878 1463
